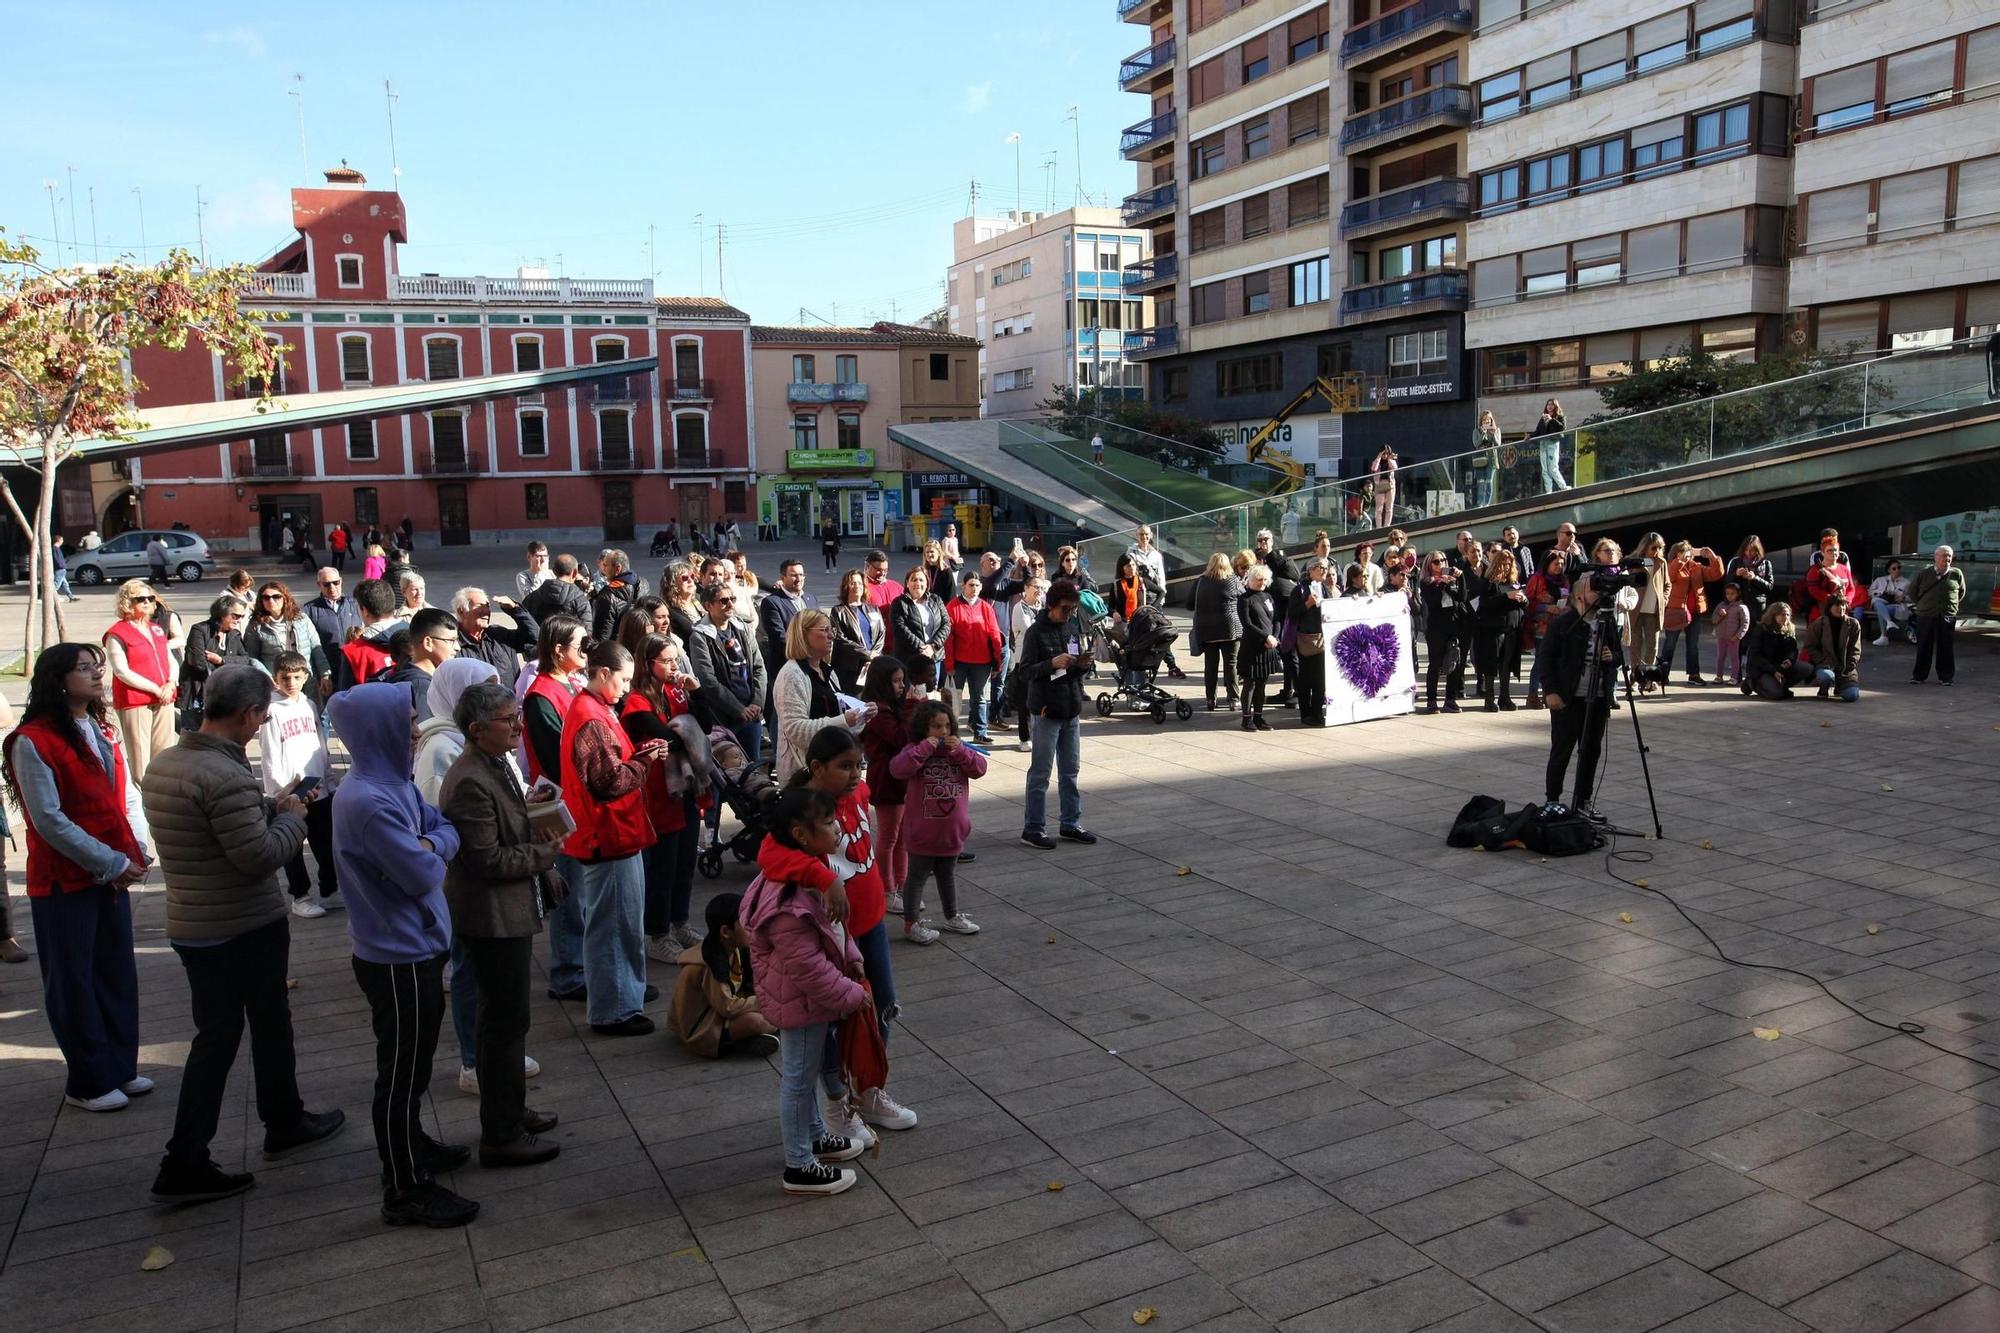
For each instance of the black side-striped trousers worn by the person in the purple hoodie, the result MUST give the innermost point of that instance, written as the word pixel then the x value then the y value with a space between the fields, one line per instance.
pixel 407 1002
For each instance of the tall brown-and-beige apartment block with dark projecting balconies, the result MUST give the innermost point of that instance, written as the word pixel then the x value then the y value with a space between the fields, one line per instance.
pixel 1303 177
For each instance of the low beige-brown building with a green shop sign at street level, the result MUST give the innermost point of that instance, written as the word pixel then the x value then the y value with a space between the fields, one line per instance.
pixel 825 401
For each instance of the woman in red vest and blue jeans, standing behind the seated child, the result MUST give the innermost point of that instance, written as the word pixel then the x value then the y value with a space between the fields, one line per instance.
pixel 605 790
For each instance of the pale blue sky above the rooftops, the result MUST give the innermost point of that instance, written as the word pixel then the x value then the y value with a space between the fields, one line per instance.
pixel 835 143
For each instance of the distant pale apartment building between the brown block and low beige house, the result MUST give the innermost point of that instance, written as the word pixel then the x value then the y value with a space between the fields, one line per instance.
pixel 1053 301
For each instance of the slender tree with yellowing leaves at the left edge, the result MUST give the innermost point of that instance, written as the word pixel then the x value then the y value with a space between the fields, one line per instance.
pixel 67 339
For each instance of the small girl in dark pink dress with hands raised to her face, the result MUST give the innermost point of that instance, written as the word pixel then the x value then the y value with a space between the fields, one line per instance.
pixel 937 772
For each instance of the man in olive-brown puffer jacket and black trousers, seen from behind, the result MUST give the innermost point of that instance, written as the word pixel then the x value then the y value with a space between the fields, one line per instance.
pixel 229 922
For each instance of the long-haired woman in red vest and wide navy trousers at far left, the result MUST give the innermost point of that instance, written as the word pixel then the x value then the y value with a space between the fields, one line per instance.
pixel 67 774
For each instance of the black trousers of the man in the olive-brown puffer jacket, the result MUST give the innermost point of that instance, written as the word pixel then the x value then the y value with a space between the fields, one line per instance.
pixel 233 984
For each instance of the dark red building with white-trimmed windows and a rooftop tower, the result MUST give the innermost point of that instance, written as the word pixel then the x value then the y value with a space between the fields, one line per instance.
pixel 597 463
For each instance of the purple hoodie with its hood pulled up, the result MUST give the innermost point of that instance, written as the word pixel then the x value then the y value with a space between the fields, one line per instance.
pixel 395 890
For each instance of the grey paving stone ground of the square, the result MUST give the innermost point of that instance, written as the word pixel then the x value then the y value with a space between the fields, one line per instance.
pixel 1335 1076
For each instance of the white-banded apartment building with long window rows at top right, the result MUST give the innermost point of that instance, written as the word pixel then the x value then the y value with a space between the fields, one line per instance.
pixel 1731 175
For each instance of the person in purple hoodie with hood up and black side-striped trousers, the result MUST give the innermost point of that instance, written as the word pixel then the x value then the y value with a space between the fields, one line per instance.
pixel 393 852
